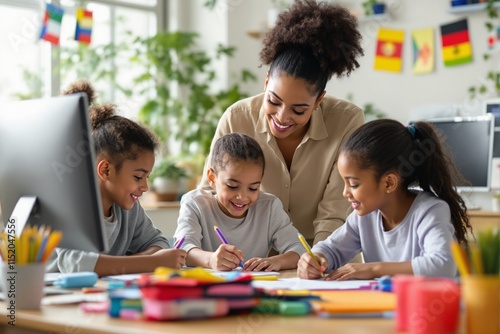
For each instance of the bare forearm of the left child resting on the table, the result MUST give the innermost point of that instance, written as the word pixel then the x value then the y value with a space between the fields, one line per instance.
pixel 116 265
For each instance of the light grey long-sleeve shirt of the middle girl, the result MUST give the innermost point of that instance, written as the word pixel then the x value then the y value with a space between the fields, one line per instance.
pixel 265 226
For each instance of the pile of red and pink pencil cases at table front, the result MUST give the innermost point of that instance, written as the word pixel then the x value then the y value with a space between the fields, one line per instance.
pixel 170 294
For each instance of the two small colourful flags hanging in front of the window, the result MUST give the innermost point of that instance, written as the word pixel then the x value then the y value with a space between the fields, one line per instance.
pixel 52 20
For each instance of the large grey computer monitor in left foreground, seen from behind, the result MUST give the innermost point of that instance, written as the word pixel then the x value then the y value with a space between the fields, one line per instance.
pixel 47 154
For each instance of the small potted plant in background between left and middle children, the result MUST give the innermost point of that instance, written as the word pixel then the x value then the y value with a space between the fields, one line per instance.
pixel 166 180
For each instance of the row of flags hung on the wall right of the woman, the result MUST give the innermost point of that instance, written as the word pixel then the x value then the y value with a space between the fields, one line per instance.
pixel 455 43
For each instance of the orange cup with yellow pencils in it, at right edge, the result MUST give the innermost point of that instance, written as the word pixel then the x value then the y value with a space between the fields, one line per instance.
pixel 480 280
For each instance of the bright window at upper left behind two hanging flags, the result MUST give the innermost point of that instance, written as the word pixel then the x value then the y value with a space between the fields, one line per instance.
pixel 35 68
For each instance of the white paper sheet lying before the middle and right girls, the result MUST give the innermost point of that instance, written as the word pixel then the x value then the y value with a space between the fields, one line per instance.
pixel 304 284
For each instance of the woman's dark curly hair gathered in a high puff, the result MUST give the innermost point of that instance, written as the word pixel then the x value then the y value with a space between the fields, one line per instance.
pixel 313 41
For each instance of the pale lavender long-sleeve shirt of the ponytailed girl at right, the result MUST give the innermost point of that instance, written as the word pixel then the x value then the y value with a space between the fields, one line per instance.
pixel 424 237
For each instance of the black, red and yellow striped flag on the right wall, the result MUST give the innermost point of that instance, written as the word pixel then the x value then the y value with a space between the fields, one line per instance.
pixel 455 43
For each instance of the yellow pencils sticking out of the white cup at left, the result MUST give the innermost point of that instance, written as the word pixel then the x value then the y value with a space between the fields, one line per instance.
pixel 33 245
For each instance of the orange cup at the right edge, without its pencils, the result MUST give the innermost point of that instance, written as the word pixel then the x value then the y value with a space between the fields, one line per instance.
pixel 481 296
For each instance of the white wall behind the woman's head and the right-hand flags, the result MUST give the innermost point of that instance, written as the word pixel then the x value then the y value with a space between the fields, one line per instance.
pixel 394 93
